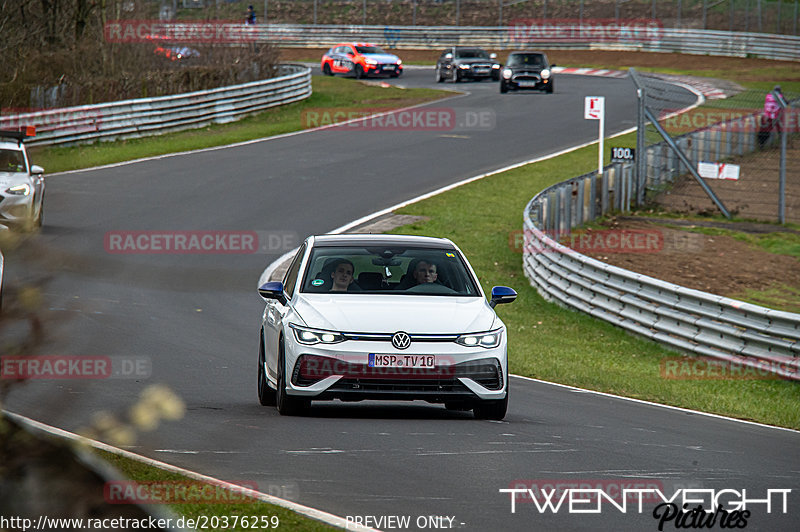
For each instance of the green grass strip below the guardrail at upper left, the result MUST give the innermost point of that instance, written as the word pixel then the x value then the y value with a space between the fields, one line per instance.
pixel 328 94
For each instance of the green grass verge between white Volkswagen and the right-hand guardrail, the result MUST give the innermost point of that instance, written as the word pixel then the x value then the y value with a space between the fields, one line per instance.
pixel 560 345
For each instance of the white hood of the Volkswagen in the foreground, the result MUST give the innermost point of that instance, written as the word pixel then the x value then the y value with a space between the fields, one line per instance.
pixel 379 313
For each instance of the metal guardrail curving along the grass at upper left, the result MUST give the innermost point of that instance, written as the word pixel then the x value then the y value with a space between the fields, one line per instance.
pixel 152 116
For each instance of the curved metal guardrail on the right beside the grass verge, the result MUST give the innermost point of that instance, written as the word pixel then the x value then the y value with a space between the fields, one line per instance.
pixel 683 318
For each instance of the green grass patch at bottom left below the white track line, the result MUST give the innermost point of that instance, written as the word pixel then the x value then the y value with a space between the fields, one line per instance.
pixel 252 509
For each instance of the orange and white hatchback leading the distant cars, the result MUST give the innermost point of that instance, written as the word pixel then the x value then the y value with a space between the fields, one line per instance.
pixel 360 60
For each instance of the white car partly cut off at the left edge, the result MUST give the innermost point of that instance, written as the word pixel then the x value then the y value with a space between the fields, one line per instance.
pixel 21 184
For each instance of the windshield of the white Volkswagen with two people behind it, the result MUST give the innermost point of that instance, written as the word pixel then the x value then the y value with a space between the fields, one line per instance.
pixel 392 270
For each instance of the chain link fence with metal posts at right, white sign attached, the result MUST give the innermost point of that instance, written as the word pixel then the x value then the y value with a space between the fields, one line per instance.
pixel 734 145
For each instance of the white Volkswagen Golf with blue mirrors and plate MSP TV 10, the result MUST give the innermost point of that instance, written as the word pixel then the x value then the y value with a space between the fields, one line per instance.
pixel 382 317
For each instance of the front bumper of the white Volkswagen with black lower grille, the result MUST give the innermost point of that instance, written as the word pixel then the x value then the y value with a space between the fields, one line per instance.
pixel 342 371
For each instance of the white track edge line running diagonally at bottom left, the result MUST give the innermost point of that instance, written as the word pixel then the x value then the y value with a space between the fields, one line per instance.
pixel 307 511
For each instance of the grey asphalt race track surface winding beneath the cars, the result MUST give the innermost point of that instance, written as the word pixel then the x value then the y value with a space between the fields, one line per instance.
pixel 195 319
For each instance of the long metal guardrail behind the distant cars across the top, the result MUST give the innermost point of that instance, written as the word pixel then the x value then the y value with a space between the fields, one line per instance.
pixel 673 40
